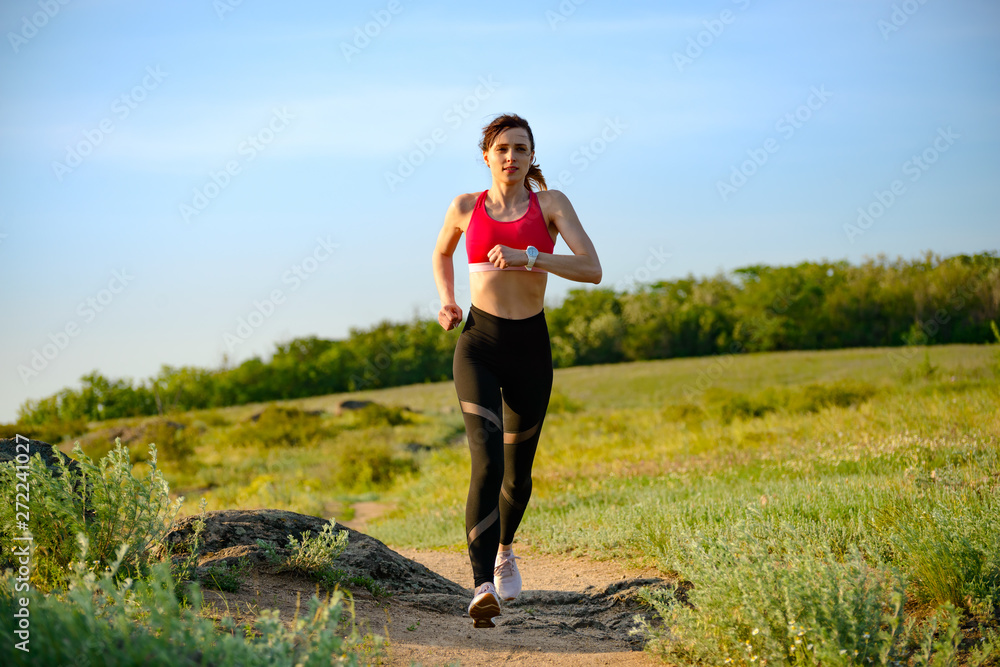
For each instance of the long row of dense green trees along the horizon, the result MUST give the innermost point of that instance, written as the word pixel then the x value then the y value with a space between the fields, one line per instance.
pixel 759 308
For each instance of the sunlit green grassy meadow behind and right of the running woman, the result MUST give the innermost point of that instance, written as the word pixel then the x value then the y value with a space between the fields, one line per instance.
pixel 850 496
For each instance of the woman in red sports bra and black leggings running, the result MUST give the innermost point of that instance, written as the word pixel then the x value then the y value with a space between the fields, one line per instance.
pixel 503 360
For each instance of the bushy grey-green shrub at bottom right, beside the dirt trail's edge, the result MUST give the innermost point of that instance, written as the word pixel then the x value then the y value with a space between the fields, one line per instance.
pixel 771 597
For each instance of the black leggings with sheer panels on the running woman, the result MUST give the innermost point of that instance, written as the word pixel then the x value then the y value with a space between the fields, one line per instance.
pixel 503 376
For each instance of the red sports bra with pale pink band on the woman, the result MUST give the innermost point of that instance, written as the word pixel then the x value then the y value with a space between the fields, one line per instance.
pixel 484 232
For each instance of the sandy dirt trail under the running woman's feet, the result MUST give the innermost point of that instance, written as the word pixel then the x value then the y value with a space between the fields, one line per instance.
pixel 573 611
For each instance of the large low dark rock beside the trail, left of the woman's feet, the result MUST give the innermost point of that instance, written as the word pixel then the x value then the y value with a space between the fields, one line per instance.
pixel 232 534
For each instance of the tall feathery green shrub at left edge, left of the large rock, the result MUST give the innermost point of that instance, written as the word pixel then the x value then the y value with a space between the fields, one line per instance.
pixel 103 501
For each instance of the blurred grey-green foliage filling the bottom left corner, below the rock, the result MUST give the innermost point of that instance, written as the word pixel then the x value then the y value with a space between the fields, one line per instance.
pixel 101 620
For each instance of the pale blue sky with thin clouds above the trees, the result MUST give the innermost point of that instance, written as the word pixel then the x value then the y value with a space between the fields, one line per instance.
pixel 169 170
